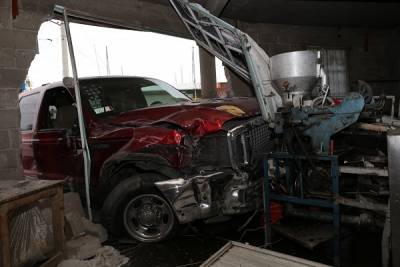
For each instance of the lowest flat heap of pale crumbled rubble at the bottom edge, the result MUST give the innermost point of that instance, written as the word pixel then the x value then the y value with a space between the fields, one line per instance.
pixel 105 257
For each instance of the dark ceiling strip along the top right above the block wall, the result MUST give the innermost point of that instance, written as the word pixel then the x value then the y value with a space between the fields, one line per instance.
pixel 350 13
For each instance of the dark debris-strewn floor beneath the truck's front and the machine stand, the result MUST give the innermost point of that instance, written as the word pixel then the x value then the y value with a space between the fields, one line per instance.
pixel 191 248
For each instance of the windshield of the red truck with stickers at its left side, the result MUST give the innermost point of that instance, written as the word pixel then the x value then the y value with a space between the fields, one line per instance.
pixel 113 96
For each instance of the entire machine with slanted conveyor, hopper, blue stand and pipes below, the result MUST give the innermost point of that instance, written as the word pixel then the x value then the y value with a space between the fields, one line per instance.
pixel 330 158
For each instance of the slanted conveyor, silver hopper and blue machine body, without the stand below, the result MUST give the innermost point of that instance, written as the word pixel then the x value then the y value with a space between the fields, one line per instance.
pixel 291 88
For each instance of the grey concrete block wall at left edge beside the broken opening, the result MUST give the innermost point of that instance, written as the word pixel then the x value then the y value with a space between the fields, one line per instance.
pixel 18 46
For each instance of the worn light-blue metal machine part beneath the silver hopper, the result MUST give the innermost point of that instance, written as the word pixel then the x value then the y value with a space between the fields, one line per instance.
pixel 321 123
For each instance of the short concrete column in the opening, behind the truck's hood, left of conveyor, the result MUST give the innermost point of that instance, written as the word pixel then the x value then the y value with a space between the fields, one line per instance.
pixel 208 74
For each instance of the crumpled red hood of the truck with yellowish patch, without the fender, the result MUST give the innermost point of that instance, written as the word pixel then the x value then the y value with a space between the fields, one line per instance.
pixel 198 118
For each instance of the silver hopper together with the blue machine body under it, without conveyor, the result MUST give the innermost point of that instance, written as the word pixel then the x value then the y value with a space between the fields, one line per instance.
pixel 306 109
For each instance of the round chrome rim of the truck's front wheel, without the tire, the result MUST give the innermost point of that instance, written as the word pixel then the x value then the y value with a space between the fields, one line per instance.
pixel 148 218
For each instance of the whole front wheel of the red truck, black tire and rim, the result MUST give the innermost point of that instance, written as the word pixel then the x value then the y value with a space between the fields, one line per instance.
pixel 137 207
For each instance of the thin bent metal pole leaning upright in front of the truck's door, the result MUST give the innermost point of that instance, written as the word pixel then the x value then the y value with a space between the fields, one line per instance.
pixel 85 147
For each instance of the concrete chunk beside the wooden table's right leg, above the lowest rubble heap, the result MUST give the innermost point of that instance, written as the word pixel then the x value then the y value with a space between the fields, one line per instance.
pixel 83 247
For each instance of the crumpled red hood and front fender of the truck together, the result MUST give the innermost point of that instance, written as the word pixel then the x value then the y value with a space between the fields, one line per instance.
pixel 149 130
